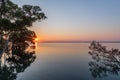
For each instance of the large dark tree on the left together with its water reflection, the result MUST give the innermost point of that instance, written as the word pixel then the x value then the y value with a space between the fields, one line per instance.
pixel 16 37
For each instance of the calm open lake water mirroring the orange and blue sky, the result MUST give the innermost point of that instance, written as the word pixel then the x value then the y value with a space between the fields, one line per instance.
pixel 63 61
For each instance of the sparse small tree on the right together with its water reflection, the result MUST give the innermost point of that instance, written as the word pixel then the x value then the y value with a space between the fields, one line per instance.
pixel 103 61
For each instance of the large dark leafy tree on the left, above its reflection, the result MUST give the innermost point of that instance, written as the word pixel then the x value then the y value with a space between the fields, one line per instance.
pixel 15 21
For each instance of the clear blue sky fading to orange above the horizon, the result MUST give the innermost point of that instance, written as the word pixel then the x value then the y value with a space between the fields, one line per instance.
pixel 77 19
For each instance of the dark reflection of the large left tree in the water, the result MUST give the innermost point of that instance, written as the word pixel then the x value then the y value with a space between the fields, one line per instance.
pixel 15 60
